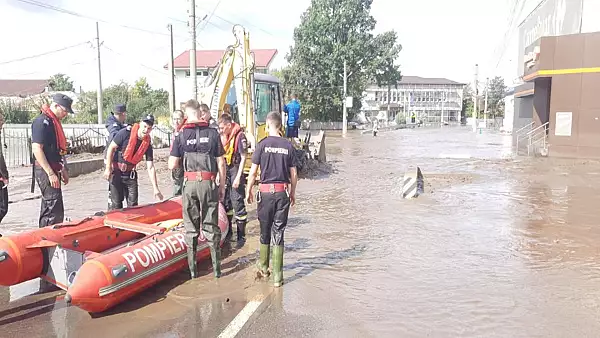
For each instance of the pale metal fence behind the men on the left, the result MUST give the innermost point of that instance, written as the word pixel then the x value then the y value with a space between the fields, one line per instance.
pixel 16 140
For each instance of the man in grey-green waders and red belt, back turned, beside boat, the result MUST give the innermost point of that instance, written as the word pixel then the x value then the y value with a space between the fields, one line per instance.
pixel 202 152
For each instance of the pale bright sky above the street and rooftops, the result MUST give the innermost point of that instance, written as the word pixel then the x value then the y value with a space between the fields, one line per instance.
pixel 440 38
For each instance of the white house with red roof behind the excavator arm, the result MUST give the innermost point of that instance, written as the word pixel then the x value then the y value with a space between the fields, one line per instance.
pixel 206 62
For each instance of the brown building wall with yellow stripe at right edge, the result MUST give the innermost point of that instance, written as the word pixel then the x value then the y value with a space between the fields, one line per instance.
pixel 577 92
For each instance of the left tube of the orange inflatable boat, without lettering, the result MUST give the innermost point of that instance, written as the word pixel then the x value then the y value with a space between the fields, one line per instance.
pixel 30 255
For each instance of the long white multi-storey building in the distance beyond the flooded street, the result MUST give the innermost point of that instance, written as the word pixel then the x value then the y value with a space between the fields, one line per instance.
pixel 432 100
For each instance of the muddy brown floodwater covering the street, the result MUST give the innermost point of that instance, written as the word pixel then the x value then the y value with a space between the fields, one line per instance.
pixel 495 247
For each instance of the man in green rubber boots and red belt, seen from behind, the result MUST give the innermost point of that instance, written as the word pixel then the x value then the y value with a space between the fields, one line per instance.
pixel 277 192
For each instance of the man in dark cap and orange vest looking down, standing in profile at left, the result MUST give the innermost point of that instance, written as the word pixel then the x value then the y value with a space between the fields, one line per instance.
pixel 49 146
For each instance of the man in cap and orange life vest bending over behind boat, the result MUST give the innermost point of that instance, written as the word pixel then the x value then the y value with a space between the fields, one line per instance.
pixel 130 145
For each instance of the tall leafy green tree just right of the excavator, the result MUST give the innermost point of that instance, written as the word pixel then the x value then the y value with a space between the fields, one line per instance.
pixel 317 58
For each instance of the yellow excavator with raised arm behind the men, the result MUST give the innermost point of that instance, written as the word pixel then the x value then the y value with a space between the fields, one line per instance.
pixel 248 96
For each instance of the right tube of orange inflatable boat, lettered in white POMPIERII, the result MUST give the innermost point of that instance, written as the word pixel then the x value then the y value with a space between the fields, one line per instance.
pixel 109 278
